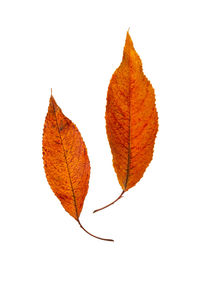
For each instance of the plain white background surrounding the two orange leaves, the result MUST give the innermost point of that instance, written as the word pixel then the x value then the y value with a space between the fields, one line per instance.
pixel 74 47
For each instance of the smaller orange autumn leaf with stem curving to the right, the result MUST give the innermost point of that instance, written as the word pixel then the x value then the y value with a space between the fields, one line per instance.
pixel 66 161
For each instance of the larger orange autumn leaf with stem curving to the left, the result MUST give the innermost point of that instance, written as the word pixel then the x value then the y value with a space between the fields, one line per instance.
pixel 131 119
